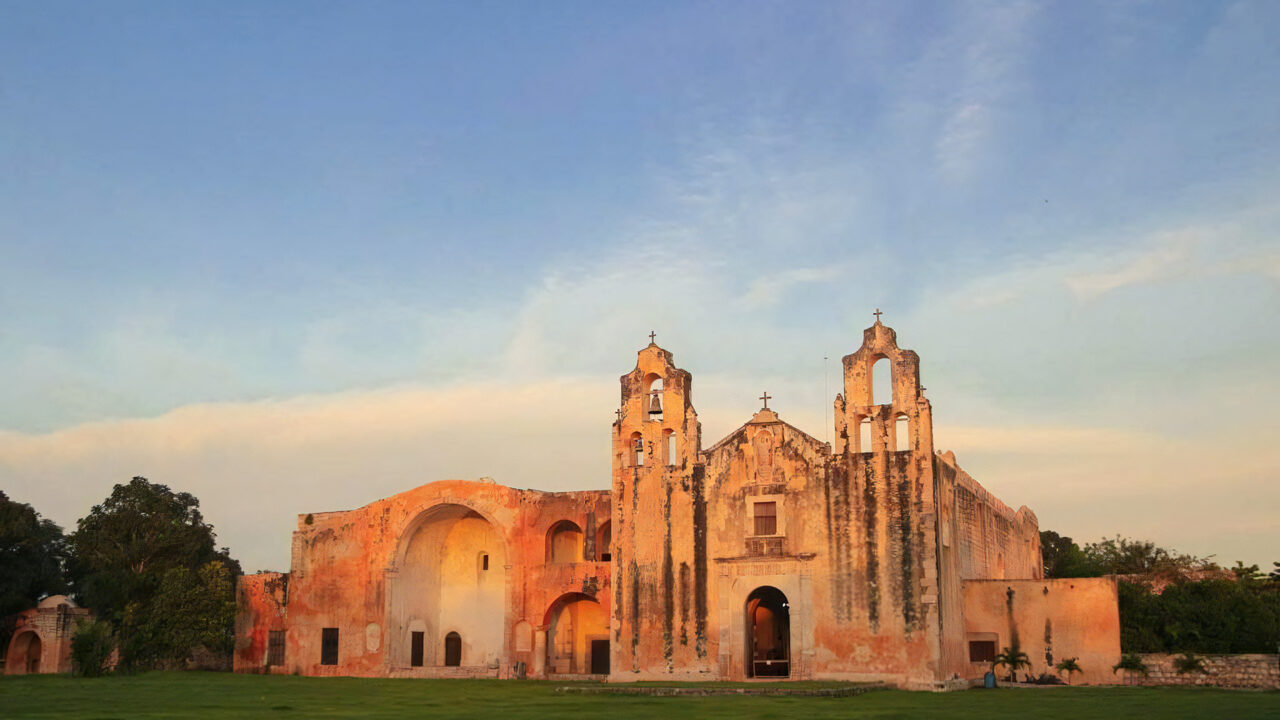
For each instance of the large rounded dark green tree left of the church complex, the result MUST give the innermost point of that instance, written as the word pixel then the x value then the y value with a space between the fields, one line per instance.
pixel 122 554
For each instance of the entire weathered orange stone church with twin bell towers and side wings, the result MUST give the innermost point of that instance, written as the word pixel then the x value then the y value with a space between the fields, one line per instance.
pixel 769 555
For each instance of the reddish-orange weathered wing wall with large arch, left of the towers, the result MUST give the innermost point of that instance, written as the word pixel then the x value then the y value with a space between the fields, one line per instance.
pixel 454 557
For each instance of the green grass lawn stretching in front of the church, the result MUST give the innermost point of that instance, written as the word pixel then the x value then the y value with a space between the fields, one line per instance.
pixel 217 695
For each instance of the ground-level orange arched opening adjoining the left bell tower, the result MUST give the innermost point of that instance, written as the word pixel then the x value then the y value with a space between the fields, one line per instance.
pixel 578 636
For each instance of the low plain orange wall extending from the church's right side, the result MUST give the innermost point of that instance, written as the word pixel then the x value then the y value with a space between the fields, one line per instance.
pixel 1049 621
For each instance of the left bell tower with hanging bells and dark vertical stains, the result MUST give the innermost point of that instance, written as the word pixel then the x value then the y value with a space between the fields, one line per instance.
pixel 660 526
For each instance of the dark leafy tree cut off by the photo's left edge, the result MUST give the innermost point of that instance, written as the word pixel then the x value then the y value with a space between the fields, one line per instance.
pixel 33 554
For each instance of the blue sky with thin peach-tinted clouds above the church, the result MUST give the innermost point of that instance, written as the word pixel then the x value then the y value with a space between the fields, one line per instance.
pixel 339 216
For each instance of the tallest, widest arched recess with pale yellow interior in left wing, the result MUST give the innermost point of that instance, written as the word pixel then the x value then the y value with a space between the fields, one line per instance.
pixel 450 577
